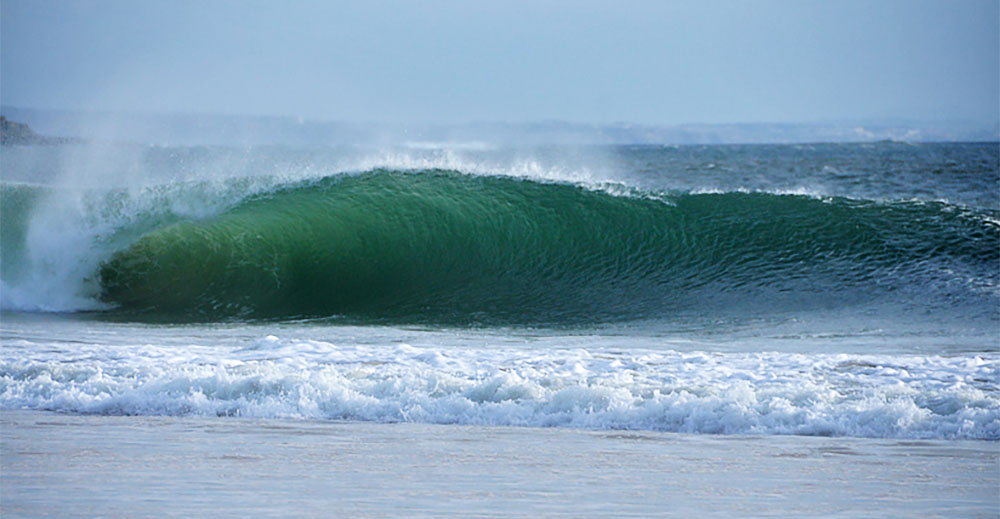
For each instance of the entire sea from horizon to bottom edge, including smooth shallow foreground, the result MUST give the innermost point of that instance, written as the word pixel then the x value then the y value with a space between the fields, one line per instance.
pixel 480 330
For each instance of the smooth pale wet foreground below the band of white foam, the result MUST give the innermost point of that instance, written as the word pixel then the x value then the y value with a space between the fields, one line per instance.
pixel 64 465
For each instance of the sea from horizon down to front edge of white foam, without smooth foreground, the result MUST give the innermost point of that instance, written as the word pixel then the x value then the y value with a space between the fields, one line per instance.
pixel 845 291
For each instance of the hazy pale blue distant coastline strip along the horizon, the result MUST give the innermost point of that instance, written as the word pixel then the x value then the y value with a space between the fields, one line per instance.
pixel 247 130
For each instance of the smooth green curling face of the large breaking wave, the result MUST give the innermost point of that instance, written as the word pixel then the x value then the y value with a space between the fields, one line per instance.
pixel 438 246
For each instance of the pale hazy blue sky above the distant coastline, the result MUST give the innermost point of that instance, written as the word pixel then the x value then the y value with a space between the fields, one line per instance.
pixel 657 62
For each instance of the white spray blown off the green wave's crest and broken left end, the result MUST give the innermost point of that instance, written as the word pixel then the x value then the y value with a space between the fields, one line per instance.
pixel 88 200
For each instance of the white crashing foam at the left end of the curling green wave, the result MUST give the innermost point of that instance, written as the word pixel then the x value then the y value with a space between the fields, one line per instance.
pixel 71 231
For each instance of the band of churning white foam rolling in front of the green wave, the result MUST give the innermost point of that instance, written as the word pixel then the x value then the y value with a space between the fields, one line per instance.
pixel 900 396
